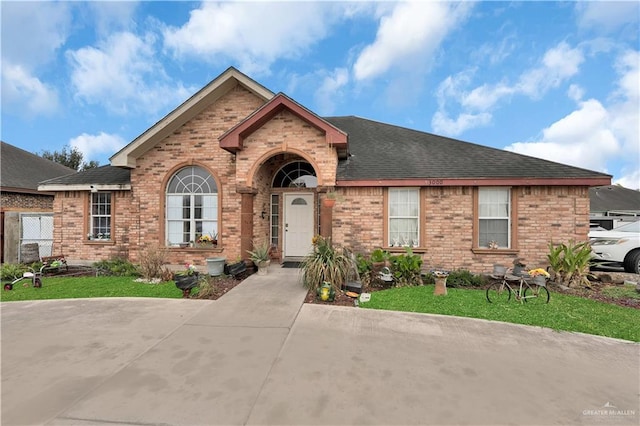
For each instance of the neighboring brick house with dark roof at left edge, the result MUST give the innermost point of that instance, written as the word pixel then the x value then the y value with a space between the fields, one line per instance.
pixel 26 215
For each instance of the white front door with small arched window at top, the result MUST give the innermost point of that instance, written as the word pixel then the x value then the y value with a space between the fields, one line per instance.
pixel 298 224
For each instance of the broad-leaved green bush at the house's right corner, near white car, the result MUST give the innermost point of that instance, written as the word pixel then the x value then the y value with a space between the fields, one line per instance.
pixel 570 263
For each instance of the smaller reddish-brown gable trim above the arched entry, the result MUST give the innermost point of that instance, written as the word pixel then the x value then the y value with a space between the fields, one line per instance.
pixel 233 139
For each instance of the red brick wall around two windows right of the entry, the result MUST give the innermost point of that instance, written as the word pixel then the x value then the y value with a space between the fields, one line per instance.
pixel 544 214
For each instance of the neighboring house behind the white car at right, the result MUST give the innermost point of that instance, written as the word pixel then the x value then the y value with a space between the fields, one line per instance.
pixel 613 205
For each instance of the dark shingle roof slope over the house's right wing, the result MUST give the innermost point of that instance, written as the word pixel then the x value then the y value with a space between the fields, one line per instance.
pixel 383 151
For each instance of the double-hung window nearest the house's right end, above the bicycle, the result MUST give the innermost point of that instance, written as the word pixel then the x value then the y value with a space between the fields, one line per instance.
pixel 494 217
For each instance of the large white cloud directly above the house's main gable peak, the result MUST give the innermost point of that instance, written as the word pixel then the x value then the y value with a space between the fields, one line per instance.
pixel 253 34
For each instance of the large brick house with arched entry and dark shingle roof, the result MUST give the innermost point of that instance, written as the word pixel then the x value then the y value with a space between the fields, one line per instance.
pixel 241 164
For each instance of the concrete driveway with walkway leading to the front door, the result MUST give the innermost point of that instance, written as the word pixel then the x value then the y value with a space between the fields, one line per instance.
pixel 260 356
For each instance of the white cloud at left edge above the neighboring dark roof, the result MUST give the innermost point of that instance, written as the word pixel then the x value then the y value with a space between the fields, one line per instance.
pixel 25 94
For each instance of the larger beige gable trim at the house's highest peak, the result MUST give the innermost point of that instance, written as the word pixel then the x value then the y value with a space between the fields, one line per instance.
pixel 213 91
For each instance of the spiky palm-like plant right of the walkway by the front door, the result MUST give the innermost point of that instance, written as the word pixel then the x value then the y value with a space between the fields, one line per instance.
pixel 326 263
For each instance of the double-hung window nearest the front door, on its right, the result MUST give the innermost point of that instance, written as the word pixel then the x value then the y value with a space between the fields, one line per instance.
pixel 404 217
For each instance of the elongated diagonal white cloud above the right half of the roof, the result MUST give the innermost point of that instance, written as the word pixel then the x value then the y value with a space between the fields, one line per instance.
pixel 556 66
